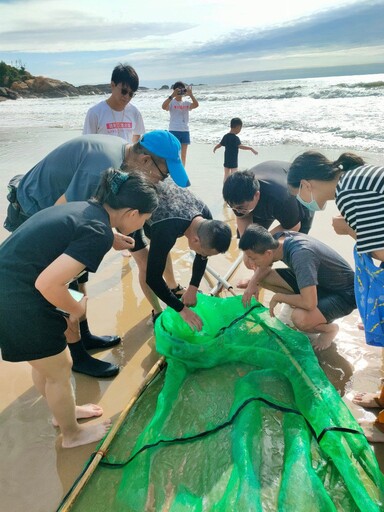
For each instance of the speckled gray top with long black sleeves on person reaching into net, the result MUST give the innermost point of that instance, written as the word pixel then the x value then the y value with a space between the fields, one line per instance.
pixel 177 209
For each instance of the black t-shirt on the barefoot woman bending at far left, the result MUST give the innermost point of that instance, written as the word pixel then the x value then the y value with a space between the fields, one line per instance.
pixel 79 229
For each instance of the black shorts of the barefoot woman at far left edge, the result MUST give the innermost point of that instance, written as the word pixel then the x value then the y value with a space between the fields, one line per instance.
pixel 31 332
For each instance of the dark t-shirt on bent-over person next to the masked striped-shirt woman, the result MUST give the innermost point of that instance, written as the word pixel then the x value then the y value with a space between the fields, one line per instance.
pixel 276 203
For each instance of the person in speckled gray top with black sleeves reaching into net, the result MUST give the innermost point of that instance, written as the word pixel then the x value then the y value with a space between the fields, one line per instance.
pixel 181 213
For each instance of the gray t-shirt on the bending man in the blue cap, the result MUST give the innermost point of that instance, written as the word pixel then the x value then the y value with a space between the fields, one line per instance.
pixel 73 169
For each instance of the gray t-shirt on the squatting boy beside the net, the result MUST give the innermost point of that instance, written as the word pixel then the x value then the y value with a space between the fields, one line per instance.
pixel 316 264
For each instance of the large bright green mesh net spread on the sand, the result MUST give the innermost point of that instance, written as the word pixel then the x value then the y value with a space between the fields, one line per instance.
pixel 243 419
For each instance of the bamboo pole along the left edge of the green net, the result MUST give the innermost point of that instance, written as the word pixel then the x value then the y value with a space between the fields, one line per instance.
pixel 155 370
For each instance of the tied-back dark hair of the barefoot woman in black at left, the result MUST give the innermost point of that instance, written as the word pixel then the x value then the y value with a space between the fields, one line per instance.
pixel 119 189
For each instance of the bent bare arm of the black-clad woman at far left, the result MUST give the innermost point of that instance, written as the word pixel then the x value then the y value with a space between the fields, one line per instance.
pixel 52 284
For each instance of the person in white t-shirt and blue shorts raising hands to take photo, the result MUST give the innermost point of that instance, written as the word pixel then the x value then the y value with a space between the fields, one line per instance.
pixel 179 114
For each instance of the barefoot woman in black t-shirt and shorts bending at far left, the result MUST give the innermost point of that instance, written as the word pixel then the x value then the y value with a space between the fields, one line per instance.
pixel 37 311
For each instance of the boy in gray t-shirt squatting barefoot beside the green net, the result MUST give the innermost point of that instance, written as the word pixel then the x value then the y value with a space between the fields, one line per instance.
pixel 318 283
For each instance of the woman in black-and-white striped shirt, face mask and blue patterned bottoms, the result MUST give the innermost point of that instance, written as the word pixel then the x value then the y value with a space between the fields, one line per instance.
pixel 358 189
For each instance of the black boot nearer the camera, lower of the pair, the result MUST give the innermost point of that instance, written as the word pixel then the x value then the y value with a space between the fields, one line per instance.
pixel 84 363
